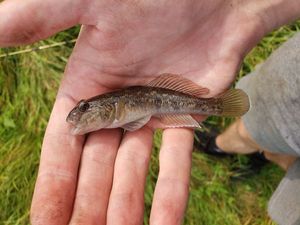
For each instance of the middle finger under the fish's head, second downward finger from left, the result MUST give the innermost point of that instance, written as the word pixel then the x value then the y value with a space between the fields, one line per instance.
pixel 95 177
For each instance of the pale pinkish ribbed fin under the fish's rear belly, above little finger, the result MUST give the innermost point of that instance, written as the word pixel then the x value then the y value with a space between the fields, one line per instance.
pixel 176 121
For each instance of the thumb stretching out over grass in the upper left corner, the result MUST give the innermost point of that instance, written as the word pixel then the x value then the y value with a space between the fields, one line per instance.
pixel 24 22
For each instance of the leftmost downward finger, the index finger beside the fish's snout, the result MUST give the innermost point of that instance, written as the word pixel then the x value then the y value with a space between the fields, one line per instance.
pixel 56 182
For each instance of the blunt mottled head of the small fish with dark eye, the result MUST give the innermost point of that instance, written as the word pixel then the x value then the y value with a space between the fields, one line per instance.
pixel 88 116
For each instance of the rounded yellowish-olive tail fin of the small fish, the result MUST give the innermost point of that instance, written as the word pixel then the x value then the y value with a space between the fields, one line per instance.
pixel 235 102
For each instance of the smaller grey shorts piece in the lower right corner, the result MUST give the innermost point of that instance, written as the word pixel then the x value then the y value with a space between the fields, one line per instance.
pixel 284 206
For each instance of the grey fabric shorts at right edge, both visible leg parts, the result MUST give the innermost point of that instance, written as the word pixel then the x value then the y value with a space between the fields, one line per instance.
pixel 273 121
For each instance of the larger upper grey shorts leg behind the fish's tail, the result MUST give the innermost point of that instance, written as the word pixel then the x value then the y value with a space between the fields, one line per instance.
pixel 274 89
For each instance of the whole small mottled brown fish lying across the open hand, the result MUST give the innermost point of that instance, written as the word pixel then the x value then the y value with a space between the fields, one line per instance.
pixel 171 98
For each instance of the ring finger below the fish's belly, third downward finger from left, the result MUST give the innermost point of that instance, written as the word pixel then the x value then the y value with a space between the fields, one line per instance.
pixel 126 204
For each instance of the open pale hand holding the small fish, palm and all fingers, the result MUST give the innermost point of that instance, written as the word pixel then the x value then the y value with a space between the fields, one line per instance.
pixel 99 178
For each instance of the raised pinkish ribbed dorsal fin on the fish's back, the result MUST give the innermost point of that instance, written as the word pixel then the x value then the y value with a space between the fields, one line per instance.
pixel 178 83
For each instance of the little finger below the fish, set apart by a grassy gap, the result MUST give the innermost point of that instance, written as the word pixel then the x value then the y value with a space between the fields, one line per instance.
pixel 172 188
